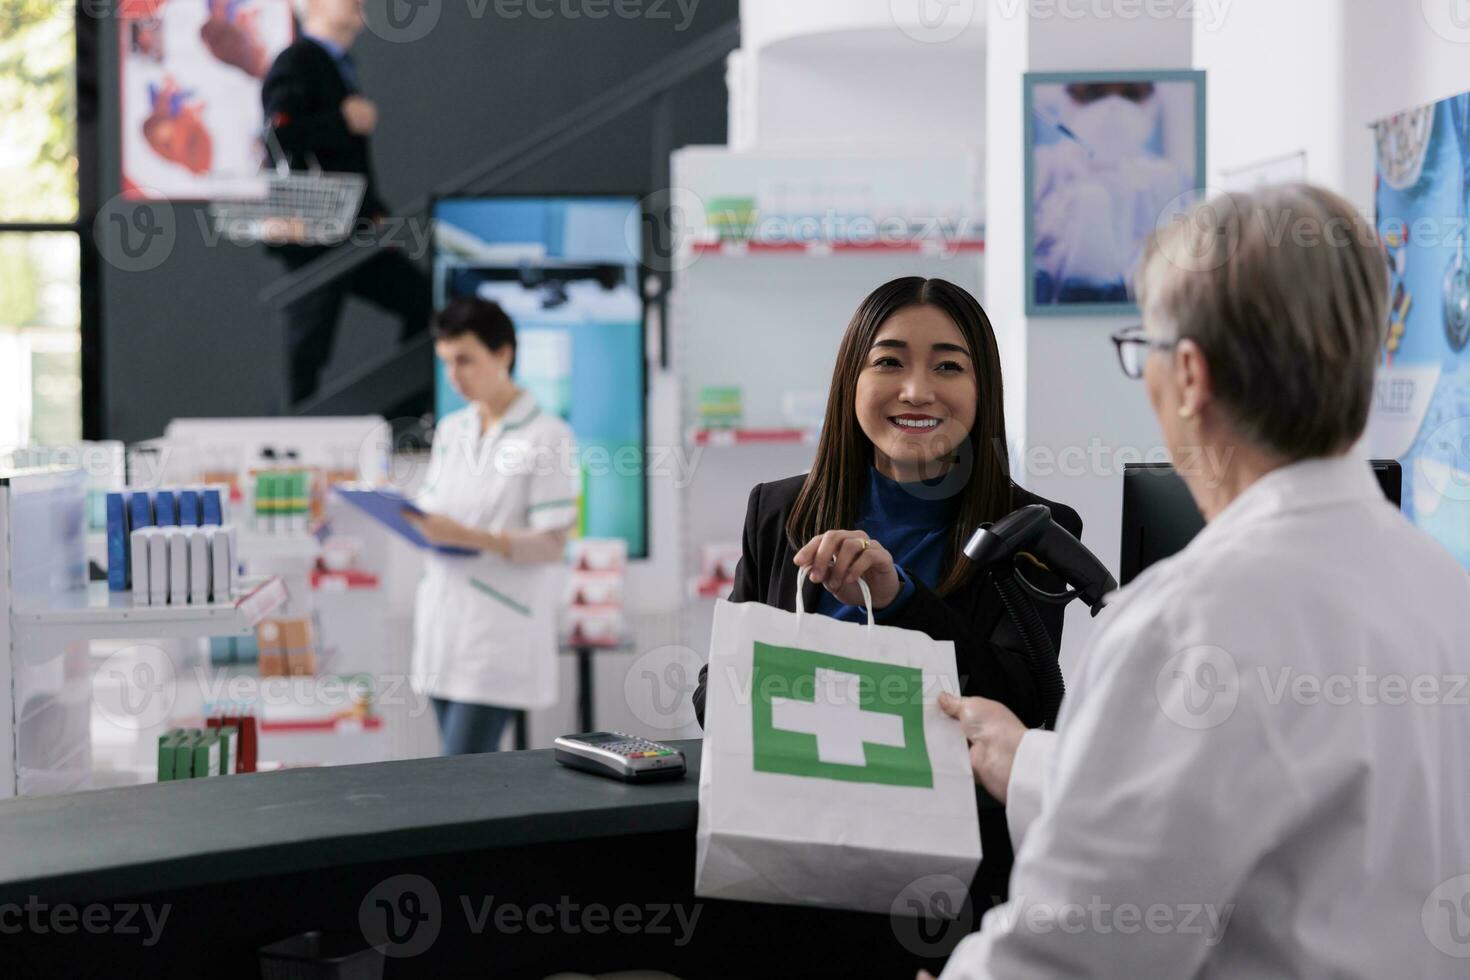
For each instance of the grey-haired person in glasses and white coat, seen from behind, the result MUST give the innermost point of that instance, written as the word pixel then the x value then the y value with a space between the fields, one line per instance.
pixel 1215 824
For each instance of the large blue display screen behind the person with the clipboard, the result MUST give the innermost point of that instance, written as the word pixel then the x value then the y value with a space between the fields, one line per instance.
pixel 567 271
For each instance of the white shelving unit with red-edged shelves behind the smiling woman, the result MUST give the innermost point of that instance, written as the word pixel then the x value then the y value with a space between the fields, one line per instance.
pixel 768 317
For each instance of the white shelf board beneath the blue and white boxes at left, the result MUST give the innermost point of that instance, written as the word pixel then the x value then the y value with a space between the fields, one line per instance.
pixel 95 613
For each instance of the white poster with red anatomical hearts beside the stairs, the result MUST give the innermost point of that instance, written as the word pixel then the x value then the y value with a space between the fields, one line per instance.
pixel 190 76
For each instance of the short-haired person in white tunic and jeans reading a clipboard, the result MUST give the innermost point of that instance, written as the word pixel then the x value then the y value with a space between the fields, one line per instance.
pixel 502 484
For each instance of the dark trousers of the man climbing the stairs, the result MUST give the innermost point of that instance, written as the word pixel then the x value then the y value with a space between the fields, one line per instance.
pixel 389 281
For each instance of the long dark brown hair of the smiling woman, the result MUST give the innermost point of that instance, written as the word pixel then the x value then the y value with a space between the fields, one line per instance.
pixel 833 494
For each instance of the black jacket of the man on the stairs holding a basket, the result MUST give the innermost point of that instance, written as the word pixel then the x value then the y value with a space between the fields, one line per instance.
pixel 304 99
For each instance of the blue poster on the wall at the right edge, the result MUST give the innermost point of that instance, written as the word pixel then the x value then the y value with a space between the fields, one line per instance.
pixel 1422 402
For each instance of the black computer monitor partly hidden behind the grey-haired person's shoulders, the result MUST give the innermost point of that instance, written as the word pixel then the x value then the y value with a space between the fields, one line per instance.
pixel 1161 516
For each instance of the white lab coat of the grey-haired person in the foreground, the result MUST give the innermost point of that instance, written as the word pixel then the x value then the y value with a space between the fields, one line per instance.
pixel 1274 826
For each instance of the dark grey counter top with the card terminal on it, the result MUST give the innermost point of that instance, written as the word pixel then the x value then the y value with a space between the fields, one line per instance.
pixel 114 843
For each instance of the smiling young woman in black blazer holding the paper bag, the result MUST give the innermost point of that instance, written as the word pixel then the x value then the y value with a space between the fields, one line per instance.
pixel 911 462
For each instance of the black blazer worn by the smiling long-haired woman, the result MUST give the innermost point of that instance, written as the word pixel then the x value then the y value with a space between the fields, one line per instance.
pixel 989 650
